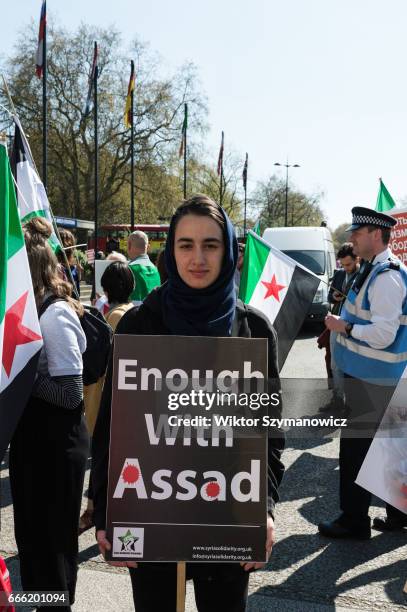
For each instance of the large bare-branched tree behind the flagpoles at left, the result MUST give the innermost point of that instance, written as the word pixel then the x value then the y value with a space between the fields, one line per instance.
pixel 71 155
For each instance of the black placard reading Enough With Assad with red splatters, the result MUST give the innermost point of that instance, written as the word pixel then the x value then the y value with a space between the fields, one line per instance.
pixel 188 449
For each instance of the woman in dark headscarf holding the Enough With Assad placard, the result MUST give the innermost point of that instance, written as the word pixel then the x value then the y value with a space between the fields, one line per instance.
pixel 199 299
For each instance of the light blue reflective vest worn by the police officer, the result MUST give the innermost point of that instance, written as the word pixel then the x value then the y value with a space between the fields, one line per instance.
pixel 357 358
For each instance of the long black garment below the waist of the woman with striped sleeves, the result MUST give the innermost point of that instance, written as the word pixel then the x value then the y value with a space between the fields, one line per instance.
pixel 48 455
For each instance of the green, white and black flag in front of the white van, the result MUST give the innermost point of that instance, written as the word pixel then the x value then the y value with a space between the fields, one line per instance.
pixel 279 287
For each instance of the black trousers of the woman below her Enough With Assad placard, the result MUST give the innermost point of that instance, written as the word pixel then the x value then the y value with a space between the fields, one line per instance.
pixel 218 587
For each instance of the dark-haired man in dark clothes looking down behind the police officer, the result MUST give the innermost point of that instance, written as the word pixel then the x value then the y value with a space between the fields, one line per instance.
pixel 341 283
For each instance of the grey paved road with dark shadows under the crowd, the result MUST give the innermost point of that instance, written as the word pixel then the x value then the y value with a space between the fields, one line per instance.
pixel 306 573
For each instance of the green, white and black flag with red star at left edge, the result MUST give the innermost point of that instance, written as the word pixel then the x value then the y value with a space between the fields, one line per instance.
pixel 20 336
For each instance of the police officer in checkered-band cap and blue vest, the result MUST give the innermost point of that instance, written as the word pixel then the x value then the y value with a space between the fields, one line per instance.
pixel 371 349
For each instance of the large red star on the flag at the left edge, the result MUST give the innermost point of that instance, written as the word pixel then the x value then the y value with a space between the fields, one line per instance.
pixel 15 332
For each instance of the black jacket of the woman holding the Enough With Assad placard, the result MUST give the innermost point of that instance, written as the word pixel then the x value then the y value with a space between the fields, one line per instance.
pixel 147 320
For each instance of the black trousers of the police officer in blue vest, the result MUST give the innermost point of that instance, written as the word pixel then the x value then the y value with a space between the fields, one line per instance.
pixel 367 404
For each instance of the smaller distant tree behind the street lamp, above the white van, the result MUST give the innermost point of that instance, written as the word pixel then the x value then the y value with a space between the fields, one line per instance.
pixel 268 204
